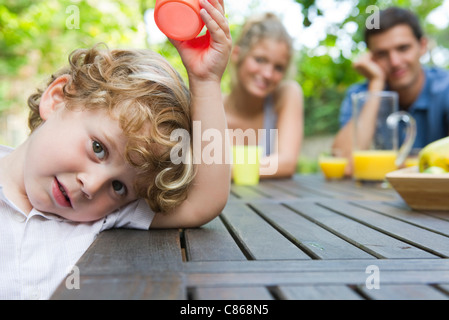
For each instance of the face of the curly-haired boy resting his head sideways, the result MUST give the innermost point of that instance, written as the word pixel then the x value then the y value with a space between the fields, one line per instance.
pixel 76 167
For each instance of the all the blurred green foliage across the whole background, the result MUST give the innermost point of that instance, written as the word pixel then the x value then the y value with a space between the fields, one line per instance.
pixel 36 37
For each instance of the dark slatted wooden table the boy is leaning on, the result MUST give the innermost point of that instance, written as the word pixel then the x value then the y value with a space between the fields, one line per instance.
pixel 299 238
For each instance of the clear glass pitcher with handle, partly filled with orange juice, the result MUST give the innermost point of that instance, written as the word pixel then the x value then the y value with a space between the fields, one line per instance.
pixel 379 130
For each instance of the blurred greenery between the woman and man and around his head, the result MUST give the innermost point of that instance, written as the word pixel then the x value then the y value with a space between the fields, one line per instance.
pixel 324 78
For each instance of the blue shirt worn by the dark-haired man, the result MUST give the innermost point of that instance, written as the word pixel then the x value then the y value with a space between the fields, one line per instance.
pixel 430 110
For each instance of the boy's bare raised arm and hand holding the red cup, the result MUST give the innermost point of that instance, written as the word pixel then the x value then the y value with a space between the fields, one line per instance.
pixel 205 59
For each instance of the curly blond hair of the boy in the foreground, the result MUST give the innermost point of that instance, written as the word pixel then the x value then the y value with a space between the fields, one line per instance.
pixel 149 99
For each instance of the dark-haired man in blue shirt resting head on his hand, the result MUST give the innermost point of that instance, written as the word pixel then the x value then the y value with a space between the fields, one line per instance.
pixel 393 64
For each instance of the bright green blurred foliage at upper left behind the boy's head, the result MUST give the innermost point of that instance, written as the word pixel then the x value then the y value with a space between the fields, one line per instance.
pixel 36 38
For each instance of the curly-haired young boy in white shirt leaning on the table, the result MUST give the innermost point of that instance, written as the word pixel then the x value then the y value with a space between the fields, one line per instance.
pixel 98 156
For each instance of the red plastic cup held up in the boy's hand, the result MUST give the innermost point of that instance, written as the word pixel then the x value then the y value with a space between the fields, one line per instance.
pixel 178 19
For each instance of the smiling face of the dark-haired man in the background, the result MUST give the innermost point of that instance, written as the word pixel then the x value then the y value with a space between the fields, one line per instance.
pixel 398 53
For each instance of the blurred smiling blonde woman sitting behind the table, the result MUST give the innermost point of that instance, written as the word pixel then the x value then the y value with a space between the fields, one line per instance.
pixel 261 97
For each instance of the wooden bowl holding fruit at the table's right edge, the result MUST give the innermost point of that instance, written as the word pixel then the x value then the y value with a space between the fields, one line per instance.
pixel 421 191
